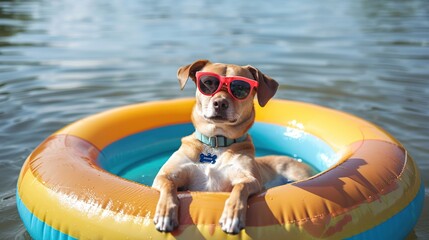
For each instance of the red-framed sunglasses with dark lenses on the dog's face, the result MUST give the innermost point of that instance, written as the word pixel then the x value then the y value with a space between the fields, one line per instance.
pixel 239 87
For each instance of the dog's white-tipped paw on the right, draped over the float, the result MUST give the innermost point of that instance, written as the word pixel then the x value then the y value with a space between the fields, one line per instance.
pixel 233 217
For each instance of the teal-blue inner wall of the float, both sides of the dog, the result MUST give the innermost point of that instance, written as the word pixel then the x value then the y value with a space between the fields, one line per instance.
pixel 139 157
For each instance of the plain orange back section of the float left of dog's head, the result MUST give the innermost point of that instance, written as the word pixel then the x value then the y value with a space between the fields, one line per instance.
pixel 120 122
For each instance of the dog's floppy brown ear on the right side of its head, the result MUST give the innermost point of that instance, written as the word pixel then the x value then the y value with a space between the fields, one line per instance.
pixel 267 86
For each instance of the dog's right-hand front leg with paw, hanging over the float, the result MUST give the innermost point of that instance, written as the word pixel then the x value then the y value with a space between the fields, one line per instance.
pixel 233 218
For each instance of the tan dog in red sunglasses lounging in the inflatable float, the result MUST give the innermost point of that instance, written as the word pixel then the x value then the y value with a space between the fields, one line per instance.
pixel 219 155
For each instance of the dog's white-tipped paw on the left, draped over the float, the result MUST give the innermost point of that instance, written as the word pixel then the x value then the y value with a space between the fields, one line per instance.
pixel 166 216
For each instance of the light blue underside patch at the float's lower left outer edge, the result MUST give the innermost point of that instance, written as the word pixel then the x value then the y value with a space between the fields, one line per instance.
pixel 37 228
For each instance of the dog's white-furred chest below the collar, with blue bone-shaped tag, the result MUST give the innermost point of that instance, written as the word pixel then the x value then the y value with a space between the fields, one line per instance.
pixel 211 172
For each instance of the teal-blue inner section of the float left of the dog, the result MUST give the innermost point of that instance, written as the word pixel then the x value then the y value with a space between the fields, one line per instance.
pixel 139 157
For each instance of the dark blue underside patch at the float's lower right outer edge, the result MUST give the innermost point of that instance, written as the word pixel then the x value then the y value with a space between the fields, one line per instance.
pixel 402 222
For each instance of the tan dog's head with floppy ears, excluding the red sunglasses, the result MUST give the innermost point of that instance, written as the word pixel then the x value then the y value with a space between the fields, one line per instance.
pixel 221 113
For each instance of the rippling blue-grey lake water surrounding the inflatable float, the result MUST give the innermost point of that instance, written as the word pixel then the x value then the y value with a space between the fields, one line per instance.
pixel 63 60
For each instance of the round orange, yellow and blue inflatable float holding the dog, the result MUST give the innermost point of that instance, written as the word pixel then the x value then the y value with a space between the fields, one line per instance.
pixel 91 179
